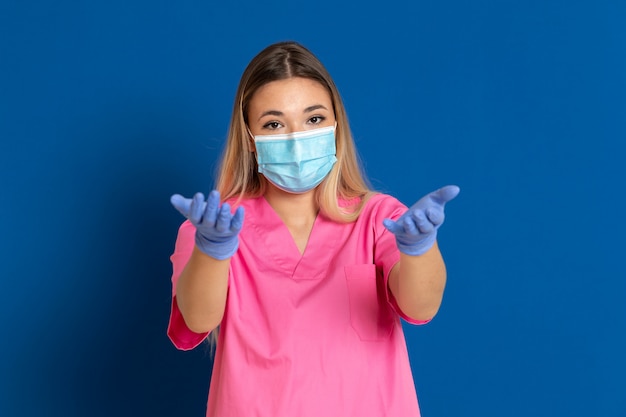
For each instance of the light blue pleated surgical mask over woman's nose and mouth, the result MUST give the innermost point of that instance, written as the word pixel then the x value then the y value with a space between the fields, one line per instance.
pixel 296 162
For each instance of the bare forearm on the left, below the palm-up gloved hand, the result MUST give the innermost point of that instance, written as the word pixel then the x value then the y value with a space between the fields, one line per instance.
pixel 201 291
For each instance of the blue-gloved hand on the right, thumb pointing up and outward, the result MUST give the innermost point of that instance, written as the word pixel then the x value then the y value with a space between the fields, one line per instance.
pixel 416 230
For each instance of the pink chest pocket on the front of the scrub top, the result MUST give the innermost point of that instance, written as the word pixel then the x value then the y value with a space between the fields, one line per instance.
pixel 370 315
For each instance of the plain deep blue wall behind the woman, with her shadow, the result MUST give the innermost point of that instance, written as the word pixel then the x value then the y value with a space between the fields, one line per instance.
pixel 109 107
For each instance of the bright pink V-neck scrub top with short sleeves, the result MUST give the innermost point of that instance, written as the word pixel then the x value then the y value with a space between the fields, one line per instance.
pixel 317 334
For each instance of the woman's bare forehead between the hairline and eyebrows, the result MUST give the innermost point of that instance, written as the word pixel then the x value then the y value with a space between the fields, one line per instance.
pixel 290 92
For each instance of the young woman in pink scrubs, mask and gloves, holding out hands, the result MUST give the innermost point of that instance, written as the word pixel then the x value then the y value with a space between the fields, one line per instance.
pixel 309 276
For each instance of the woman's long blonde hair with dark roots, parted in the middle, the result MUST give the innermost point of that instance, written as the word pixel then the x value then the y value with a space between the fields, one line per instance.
pixel 238 176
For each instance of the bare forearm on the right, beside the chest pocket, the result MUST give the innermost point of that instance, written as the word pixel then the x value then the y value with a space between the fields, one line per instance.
pixel 418 282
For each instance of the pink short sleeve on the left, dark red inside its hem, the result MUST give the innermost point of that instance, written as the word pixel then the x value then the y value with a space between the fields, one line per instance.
pixel 178 332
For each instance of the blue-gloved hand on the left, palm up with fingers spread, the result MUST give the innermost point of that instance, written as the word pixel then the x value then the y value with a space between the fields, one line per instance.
pixel 217 229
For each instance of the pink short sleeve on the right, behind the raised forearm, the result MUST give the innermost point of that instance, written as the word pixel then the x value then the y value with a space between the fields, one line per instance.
pixel 386 251
